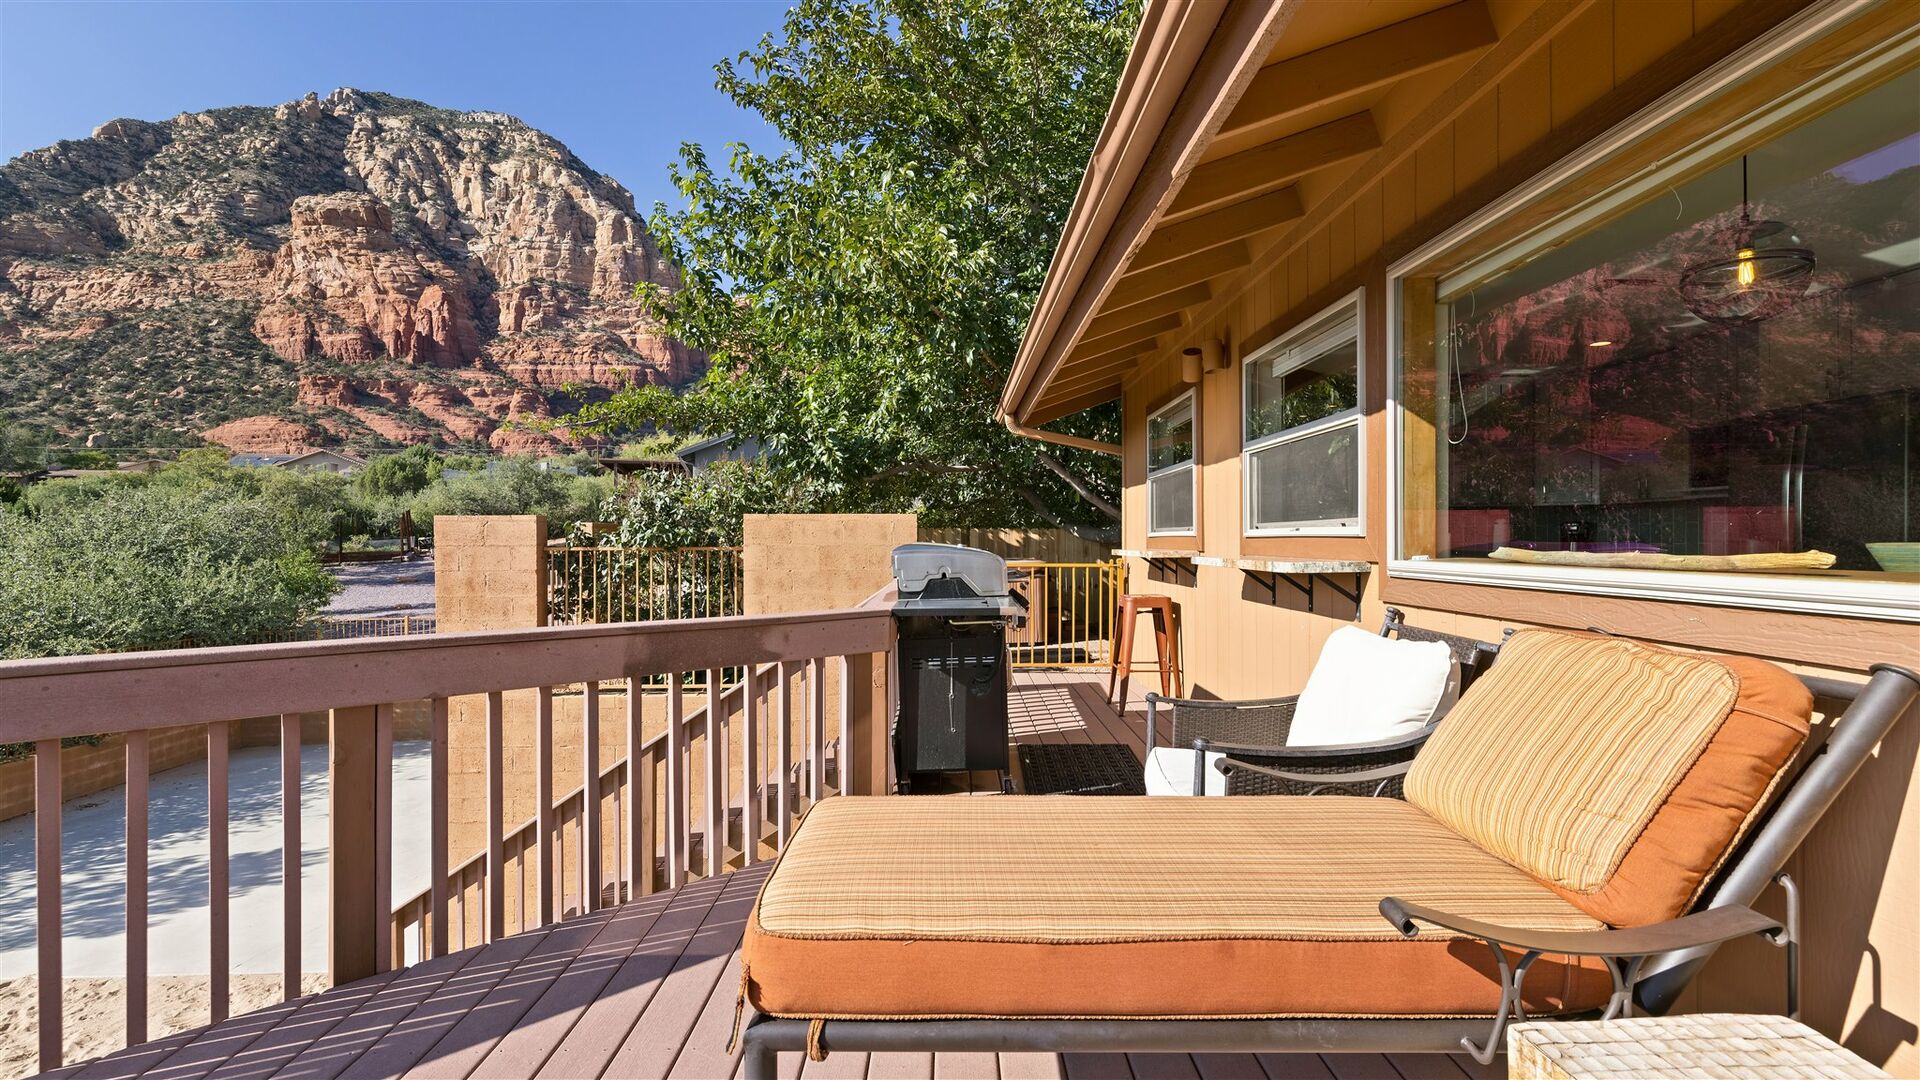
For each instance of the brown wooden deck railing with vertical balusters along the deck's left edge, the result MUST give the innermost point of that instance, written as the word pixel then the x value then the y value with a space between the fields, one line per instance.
pixel 777 722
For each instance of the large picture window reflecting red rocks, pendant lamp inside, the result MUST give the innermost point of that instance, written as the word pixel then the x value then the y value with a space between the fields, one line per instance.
pixel 1719 362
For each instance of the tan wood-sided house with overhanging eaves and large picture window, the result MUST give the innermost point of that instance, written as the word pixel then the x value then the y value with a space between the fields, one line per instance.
pixel 1462 307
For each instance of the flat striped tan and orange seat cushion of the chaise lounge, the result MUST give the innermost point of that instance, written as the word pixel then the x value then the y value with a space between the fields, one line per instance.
pixel 1138 908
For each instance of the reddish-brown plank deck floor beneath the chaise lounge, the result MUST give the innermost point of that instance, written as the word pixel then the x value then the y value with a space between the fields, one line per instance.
pixel 646 991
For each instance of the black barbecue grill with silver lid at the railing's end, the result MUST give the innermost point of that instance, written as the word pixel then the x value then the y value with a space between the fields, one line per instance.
pixel 951 645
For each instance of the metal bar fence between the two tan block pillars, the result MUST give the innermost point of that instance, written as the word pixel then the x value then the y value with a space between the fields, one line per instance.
pixel 640 585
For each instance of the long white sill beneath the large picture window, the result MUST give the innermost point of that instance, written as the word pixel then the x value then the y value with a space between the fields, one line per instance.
pixel 1840 593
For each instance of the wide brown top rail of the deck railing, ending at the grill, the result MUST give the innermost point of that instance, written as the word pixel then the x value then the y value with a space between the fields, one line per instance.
pixel 116 693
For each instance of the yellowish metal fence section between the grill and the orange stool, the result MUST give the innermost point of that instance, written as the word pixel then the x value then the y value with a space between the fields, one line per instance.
pixel 1070 614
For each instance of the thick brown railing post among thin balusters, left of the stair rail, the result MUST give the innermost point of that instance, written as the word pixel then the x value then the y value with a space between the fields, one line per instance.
pixel 356 918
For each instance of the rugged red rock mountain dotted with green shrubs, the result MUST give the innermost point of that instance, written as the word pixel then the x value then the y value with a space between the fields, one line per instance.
pixel 354 270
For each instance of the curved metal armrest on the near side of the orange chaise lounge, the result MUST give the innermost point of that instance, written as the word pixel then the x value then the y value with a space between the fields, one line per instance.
pixel 1712 927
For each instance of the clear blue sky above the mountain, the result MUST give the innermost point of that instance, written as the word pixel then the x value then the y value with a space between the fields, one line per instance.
pixel 619 84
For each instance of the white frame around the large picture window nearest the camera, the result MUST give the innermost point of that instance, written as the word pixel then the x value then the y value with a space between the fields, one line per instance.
pixel 1454 247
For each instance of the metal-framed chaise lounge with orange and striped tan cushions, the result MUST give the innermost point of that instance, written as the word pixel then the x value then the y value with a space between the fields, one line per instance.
pixel 1558 831
